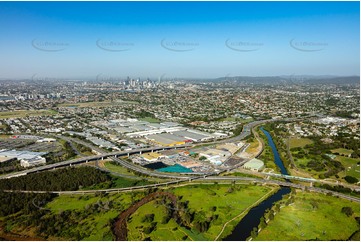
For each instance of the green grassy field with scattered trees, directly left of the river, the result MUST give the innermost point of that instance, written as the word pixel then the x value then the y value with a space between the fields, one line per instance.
pixel 219 201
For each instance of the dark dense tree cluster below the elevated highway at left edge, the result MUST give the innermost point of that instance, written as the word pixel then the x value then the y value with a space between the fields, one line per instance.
pixel 57 180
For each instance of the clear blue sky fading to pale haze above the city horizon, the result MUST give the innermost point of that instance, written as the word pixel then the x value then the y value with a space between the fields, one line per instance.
pixel 178 39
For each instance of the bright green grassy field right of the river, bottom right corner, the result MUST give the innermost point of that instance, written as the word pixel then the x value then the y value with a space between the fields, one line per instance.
pixel 304 221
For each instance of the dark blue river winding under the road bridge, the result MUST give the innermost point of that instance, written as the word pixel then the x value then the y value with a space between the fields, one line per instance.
pixel 244 228
